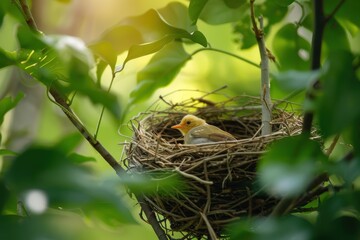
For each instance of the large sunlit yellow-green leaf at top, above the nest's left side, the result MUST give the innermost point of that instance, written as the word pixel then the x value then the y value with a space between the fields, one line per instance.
pixel 143 35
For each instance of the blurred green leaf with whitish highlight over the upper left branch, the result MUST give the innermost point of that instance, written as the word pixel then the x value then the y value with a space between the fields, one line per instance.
pixel 64 63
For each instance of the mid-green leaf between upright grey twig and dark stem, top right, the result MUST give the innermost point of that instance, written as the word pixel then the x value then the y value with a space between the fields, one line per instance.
pixel 287 45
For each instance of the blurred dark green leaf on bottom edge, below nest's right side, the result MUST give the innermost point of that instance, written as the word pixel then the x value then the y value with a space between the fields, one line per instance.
pixel 289 227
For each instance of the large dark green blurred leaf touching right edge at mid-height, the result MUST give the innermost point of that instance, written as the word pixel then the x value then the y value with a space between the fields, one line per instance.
pixel 337 105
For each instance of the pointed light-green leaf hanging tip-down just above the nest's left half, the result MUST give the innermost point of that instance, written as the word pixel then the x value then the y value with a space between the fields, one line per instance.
pixel 160 71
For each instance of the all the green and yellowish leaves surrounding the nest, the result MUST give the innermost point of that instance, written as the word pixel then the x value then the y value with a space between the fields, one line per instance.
pixel 287 170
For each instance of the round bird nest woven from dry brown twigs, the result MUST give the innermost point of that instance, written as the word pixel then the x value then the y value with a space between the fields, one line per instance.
pixel 220 179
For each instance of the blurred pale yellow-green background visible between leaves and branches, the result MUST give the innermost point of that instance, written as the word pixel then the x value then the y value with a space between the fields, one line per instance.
pixel 39 121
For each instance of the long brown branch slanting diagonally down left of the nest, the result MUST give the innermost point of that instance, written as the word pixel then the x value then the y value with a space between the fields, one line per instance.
pixel 60 100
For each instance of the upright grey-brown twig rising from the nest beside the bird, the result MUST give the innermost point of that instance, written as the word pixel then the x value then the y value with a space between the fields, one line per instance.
pixel 265 82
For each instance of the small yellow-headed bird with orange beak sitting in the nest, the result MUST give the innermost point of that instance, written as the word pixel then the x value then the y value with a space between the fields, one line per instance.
pixel 196 131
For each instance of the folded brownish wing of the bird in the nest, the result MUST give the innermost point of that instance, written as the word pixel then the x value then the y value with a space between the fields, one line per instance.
pixel 212 133
